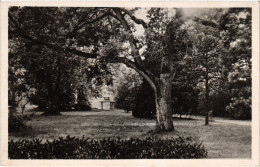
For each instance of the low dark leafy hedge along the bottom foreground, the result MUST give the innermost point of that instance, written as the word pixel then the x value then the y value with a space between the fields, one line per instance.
pixel 81 148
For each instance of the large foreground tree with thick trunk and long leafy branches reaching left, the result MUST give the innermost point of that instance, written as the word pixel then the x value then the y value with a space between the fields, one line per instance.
pixel 72 30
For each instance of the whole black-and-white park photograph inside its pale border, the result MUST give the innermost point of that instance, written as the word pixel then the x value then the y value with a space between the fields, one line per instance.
pixel 126 83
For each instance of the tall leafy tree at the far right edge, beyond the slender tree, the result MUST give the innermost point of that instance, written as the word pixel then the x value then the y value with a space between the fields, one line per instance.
pixel 236 33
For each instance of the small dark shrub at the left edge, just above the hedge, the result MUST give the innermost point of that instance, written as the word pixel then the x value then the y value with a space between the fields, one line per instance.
pixel 17 123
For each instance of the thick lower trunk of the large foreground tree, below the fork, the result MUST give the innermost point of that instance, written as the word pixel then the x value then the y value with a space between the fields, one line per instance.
pixel 164 104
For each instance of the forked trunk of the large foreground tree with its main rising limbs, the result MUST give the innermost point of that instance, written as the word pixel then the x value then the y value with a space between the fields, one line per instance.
pixel 162 86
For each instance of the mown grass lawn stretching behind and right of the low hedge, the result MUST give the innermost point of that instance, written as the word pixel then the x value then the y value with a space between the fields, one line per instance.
pixel 222 140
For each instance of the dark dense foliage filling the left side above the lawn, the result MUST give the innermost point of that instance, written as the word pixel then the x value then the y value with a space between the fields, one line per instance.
pixel 54 78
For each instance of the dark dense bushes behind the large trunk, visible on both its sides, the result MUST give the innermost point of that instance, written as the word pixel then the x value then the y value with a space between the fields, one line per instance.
pixel 140 100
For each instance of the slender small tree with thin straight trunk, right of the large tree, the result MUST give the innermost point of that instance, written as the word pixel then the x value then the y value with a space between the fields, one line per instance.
pixel 205 61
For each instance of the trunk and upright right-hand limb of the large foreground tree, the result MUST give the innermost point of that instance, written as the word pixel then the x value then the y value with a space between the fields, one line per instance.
pixel 163 93
